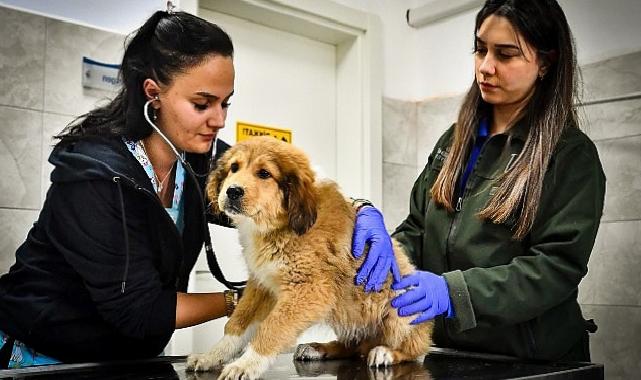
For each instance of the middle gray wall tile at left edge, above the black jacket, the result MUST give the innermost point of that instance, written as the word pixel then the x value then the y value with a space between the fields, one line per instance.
pixel 20 154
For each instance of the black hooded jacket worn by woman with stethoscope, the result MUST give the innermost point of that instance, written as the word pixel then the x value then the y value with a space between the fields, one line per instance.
pixel 96 278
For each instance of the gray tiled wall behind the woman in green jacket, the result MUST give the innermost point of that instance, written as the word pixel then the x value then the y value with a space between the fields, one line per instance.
pixel 610 293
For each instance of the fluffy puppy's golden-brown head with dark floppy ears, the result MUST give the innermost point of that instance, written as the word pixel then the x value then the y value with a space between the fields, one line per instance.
pixel 267 181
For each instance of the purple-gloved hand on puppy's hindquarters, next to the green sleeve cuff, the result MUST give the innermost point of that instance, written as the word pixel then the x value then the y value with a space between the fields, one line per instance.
pixel 426 294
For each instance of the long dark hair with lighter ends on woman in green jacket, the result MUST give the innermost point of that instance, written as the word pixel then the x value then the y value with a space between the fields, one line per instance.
pixel 549 111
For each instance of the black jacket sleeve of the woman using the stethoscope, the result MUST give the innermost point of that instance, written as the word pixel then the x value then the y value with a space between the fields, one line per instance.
pixel 87 229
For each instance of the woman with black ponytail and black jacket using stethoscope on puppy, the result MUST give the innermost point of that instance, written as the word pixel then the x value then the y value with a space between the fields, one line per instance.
pixel 103 273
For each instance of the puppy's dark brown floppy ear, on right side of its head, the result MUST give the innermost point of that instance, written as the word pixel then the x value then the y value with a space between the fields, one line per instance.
pixel 300 198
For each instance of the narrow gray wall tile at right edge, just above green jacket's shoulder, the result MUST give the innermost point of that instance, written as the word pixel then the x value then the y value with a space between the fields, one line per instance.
pixel 612 120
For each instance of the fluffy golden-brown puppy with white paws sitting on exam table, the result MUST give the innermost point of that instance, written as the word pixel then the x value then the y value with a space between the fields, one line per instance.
pixel 296 236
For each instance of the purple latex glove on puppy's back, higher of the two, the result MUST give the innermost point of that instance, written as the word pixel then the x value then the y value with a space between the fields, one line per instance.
pixel 380 260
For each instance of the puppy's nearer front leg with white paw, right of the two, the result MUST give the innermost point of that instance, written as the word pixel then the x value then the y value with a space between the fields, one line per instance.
pixel 297 309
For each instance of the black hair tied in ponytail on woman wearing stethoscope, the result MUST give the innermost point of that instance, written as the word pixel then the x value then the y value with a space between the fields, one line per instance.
pixel 166 45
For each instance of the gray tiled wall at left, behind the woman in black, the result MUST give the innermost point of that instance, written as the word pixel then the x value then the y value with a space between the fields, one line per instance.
pixel 40 78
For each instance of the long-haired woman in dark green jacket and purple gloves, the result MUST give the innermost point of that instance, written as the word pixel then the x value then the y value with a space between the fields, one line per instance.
pixel 504 216
